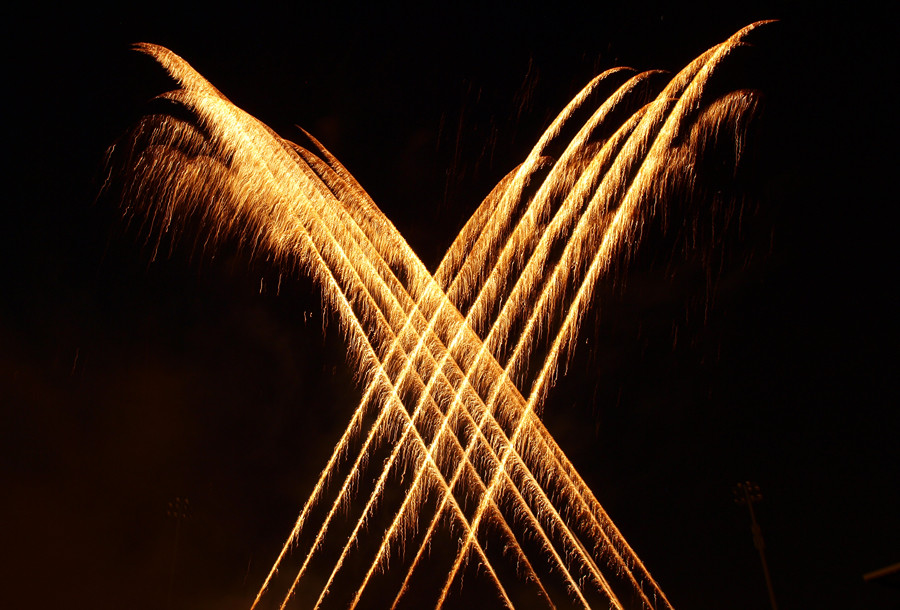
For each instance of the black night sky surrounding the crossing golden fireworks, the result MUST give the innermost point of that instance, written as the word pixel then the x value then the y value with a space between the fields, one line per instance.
pixel 127 381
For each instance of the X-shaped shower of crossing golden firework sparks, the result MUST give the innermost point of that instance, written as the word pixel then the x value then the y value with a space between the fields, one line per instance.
pixel 445 468
